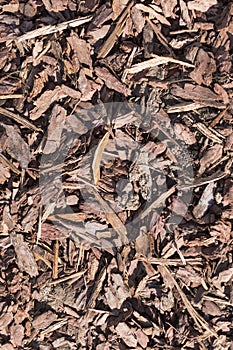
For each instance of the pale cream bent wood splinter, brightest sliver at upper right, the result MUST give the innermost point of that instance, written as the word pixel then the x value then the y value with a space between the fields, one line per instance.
pixel 156 61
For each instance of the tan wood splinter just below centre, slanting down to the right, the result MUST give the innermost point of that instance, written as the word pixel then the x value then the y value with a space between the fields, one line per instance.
pixel 112 218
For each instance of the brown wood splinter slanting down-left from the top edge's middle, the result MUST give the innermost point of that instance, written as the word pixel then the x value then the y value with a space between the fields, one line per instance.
pixel 110 42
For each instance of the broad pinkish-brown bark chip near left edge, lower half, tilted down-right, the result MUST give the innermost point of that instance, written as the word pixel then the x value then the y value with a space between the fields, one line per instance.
pixel 25 258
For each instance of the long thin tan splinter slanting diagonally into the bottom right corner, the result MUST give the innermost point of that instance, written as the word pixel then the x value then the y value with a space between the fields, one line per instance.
pixel 198 319
